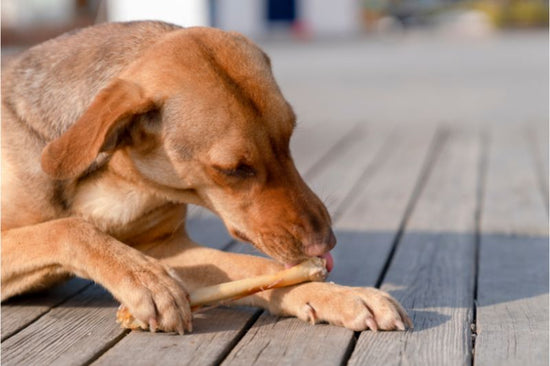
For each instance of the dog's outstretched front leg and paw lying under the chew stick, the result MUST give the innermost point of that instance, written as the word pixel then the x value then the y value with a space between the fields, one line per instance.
pixel 352 307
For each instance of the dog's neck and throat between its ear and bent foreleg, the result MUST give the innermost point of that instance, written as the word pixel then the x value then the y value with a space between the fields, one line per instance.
pixel 117 199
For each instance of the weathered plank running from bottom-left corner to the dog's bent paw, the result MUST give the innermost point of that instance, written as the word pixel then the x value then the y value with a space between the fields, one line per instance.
pixel 70 334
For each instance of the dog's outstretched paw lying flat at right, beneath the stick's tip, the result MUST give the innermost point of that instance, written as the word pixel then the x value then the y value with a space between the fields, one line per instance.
pixel 356 308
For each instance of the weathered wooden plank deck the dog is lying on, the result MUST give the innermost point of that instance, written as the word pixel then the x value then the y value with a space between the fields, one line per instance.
pixel 452 221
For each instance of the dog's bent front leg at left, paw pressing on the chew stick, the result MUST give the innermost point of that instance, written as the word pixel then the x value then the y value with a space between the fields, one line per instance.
pixel 33 254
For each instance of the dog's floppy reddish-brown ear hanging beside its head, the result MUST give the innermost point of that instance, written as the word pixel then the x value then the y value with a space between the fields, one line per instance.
pixel 73 152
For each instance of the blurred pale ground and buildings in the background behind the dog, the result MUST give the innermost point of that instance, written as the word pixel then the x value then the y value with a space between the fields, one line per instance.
pixel 387 61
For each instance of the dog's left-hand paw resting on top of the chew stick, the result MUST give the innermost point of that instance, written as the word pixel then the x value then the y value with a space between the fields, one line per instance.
pixel 155 297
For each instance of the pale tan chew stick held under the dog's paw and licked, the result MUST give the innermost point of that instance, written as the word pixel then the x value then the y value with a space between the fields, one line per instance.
pixel 312 269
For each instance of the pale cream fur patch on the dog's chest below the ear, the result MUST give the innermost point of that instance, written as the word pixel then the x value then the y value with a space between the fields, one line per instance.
pixel 111 203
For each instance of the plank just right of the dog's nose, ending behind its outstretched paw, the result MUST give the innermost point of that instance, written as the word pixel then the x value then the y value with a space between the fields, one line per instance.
pixel 371 221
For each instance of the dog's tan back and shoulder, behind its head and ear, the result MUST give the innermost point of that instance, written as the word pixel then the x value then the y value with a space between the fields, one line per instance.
pixel 44 91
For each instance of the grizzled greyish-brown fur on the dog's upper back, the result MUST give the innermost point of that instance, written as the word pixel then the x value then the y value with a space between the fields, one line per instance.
pixel 49 86
